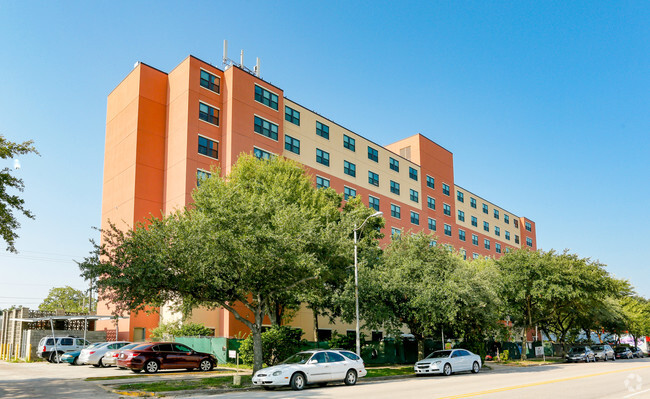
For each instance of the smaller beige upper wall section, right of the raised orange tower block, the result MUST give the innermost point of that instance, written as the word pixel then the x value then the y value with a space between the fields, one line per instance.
pixel 481 217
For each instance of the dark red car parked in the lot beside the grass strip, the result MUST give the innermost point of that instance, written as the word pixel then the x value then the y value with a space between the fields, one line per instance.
pixel 154 356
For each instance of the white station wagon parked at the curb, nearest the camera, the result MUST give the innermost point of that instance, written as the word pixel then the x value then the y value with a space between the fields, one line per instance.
pixel 312 367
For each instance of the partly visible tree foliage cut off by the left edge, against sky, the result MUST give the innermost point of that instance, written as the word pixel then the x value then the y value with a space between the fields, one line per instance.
pixel 12 202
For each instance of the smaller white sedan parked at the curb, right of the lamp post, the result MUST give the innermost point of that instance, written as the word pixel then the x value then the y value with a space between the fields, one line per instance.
pixel 448 361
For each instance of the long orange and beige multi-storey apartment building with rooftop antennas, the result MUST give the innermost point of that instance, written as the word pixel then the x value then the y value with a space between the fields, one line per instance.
pixel 166 130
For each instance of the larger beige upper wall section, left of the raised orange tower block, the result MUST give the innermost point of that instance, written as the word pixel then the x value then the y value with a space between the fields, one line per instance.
pixel 310 141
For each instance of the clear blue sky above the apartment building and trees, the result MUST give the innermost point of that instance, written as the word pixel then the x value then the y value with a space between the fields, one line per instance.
pixel 544 105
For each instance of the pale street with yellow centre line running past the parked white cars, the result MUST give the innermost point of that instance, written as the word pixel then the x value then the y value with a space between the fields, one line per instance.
pixel 622 379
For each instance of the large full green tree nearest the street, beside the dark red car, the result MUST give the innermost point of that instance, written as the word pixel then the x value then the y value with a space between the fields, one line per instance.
pixel 250 241
